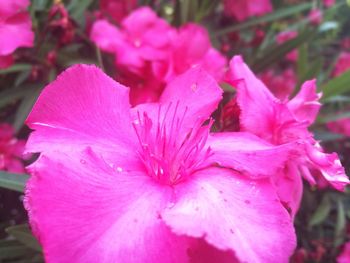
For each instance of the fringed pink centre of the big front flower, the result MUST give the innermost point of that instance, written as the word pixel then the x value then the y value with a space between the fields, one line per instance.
pixel 169 152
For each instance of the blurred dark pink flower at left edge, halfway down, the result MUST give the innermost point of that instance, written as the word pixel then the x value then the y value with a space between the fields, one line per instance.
pixel 11 150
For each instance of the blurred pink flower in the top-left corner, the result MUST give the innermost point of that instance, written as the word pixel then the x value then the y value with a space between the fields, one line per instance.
pixel 15 29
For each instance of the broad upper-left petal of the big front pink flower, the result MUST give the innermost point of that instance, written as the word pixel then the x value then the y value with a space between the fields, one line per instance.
pixel 83 107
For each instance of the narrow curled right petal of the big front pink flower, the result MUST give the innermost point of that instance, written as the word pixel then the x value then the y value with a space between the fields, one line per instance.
pixel 247 153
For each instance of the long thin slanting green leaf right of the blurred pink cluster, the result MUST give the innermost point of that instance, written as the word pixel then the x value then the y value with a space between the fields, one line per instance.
pixel 276 15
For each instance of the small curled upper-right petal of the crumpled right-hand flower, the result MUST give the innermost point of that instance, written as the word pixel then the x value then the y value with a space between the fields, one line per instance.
pixel 305 104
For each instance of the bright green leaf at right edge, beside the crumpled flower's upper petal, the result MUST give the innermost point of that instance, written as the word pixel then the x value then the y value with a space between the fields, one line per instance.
pixel 336 86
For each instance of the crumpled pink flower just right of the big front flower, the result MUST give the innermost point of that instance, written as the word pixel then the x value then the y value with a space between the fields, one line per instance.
pixel 280 122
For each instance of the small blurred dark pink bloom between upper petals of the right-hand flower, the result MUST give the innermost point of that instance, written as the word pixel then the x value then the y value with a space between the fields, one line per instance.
pixel 280 84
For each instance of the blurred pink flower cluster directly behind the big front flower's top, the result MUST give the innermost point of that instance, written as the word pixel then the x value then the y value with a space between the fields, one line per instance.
pixel 151 54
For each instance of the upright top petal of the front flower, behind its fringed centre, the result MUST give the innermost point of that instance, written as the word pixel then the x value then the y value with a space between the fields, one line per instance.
pixel 190 98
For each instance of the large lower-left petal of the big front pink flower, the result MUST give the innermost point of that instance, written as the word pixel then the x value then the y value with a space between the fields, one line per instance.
pixel 96 214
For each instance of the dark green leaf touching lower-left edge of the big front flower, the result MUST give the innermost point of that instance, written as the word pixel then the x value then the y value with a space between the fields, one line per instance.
pixel 23 234
